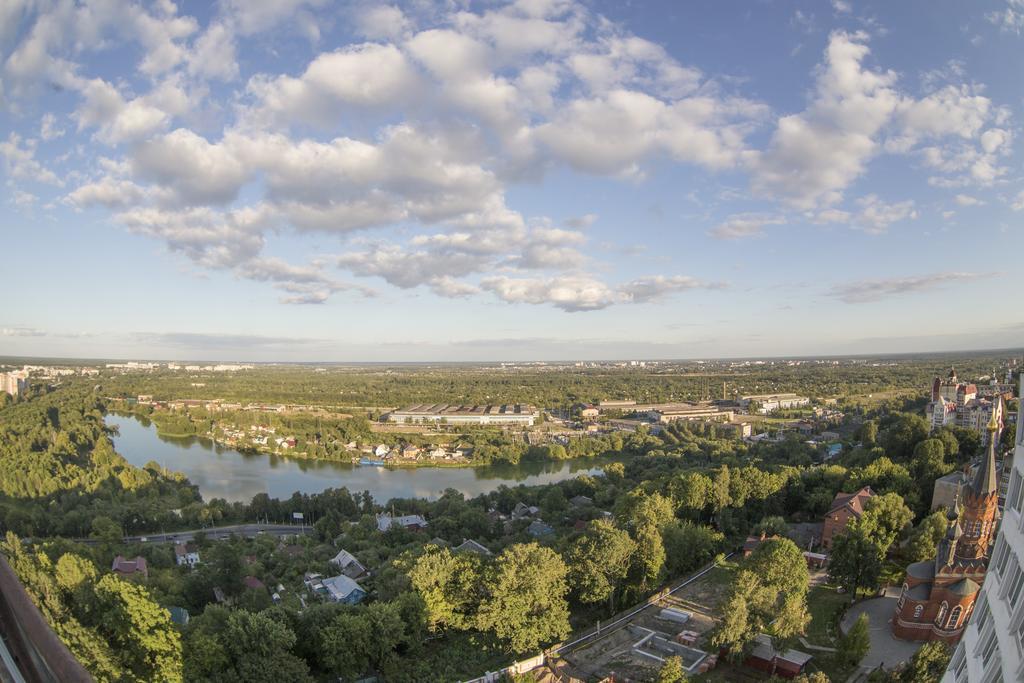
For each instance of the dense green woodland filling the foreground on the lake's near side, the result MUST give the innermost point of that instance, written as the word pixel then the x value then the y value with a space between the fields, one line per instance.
pixel 432 614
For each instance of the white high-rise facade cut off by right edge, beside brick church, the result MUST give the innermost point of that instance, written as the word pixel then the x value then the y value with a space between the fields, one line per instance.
pixel 993 648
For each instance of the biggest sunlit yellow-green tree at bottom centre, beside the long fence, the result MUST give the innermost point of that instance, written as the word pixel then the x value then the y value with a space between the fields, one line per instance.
pixel 525 599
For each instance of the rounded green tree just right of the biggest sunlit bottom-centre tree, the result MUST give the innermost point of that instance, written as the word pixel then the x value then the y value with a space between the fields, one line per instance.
pixel 599 561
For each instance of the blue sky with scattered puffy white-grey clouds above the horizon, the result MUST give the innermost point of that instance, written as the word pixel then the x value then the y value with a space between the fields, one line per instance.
pixel 539 180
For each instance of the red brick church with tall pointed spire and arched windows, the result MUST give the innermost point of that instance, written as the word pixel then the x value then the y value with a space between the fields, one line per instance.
pixel 938 595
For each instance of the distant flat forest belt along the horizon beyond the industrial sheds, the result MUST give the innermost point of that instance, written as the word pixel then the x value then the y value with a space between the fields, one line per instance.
pixel 545 387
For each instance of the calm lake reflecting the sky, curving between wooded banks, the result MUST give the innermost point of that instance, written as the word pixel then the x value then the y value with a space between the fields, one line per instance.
pixel 224 473
